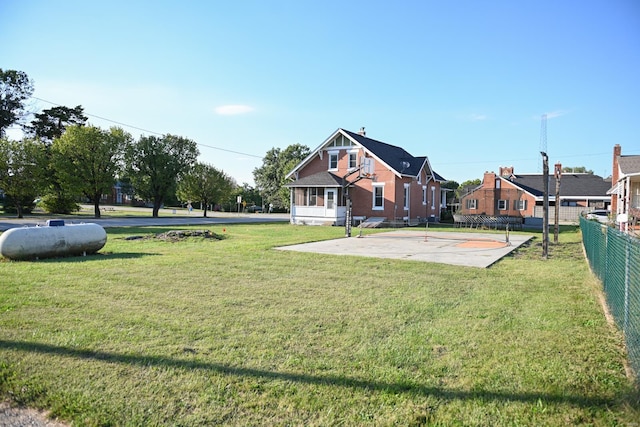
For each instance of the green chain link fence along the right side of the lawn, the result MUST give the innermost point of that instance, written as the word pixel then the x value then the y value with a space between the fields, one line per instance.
pixel 615 259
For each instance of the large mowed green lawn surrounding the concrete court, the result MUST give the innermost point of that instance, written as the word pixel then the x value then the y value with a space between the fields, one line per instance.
pixel 233 332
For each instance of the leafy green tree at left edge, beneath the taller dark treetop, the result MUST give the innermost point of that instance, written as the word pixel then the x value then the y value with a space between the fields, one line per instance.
pixel 21 172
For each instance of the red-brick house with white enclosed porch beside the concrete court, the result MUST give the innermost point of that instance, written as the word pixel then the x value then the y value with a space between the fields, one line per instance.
pixel 378 180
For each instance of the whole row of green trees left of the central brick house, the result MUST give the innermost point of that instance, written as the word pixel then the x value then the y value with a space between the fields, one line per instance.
pixel 62 158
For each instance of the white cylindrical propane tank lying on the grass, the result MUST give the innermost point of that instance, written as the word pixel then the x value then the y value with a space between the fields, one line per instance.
pixel 52 241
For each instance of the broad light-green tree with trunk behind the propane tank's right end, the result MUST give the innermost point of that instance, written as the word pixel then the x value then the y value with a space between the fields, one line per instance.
pixel 87 160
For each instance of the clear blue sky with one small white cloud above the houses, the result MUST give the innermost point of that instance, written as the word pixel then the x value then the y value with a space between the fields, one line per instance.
pixel 462 82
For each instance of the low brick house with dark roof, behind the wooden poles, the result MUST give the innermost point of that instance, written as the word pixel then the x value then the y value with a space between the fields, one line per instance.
pixel 508 194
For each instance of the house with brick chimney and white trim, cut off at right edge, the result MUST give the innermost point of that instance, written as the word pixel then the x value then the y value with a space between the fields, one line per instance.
pixel 625 190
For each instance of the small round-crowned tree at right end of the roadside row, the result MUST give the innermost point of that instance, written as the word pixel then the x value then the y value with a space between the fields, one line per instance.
pixel 205 184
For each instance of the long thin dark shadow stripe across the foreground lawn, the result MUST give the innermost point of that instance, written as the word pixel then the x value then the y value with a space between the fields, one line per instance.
pixel 328 380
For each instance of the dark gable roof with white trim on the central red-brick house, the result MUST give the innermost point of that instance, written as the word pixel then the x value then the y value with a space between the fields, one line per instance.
pixel 395 158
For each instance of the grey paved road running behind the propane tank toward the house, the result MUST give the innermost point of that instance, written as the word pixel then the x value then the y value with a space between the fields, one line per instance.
pixel 166 217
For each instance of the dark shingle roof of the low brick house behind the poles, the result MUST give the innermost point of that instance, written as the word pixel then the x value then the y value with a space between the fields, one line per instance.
pixel 579 184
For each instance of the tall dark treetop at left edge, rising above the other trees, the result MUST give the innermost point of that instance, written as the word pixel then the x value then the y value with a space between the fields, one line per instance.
pixel 15 89
